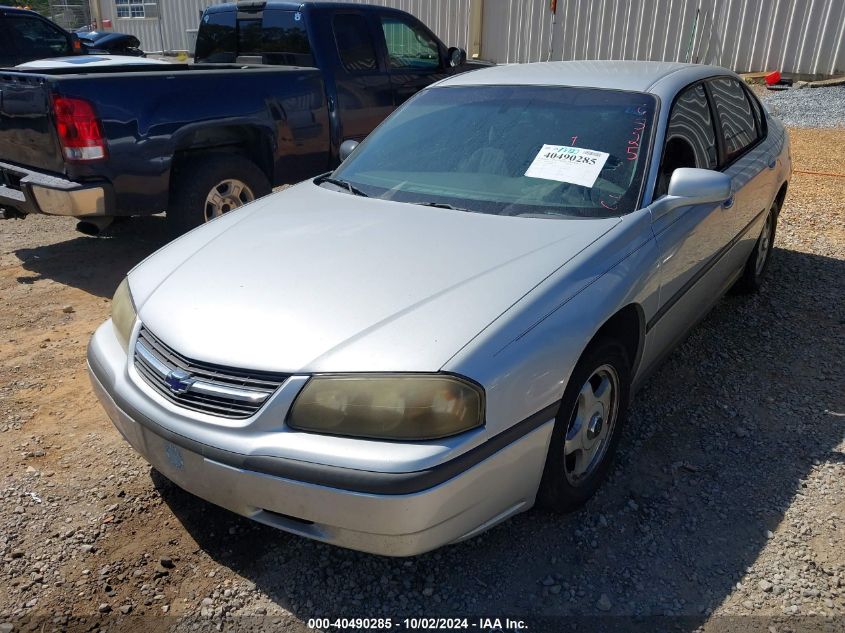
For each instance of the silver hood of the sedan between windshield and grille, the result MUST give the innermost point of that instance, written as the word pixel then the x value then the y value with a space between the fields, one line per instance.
pixel 315 280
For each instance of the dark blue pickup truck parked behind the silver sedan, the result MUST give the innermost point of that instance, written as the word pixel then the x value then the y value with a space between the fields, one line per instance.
pixel 275 89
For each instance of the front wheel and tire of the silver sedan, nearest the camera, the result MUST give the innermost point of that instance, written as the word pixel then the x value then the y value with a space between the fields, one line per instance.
pixel 587 428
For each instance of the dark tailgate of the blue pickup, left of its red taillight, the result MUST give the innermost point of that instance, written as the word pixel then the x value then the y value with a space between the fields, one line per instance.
pixel 27 134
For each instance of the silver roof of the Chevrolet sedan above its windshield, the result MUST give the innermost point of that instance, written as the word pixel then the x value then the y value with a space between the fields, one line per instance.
pixel 661 78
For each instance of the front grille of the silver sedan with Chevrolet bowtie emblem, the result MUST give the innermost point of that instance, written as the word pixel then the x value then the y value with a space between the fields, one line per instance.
pixel 204 387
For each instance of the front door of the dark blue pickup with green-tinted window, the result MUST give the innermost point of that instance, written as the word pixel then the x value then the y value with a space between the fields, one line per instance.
pixel 414 55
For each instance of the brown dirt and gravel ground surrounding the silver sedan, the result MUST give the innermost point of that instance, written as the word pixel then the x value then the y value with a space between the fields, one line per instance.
pixel 728 498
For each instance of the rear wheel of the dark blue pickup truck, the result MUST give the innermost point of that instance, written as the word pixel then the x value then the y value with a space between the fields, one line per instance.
pixel 211 186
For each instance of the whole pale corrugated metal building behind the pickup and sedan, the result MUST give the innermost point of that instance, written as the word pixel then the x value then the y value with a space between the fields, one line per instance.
pixel 797 36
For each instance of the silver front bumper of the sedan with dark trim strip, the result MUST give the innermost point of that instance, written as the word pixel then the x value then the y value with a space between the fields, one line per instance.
pixel 474 499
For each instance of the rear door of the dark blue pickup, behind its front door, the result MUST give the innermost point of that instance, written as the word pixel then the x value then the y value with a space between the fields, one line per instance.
pixel 364 91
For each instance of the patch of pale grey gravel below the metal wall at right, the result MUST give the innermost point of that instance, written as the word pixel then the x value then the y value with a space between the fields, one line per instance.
pixel 807 107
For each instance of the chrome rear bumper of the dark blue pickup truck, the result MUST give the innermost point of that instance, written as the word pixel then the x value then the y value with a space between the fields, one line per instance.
pixel 30 191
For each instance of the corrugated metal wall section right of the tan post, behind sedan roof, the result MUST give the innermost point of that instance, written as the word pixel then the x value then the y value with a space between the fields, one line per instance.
pixel 802 36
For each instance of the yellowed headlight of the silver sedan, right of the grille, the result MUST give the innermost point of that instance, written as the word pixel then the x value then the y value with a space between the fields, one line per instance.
pixel 393 407
